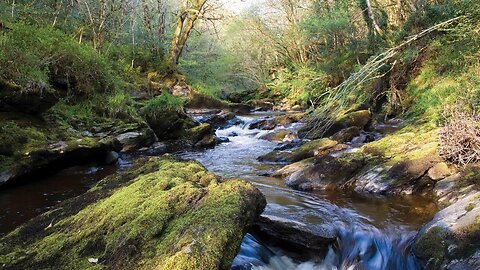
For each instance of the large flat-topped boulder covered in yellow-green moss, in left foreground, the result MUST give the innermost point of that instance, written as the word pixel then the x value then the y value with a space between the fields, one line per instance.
pixel 165 215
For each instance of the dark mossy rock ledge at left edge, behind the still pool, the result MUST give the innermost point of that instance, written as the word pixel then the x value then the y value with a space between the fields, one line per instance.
pixel 31 144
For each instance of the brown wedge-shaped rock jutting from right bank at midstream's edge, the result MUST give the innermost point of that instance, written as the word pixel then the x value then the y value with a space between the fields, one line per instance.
pixel 326 172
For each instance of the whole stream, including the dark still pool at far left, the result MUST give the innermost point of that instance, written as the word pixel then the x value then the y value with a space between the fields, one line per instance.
pixel 373 232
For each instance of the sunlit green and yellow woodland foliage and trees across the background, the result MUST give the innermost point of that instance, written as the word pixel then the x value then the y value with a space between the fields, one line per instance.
pixel 291 51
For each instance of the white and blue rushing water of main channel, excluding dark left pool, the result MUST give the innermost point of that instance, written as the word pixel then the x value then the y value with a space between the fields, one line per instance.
pixel 373 232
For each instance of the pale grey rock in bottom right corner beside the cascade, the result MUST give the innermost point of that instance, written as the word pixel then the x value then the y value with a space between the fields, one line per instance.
pixel 451 238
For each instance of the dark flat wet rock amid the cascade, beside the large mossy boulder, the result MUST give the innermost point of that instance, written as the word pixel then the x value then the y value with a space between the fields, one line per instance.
pixel 295 232
